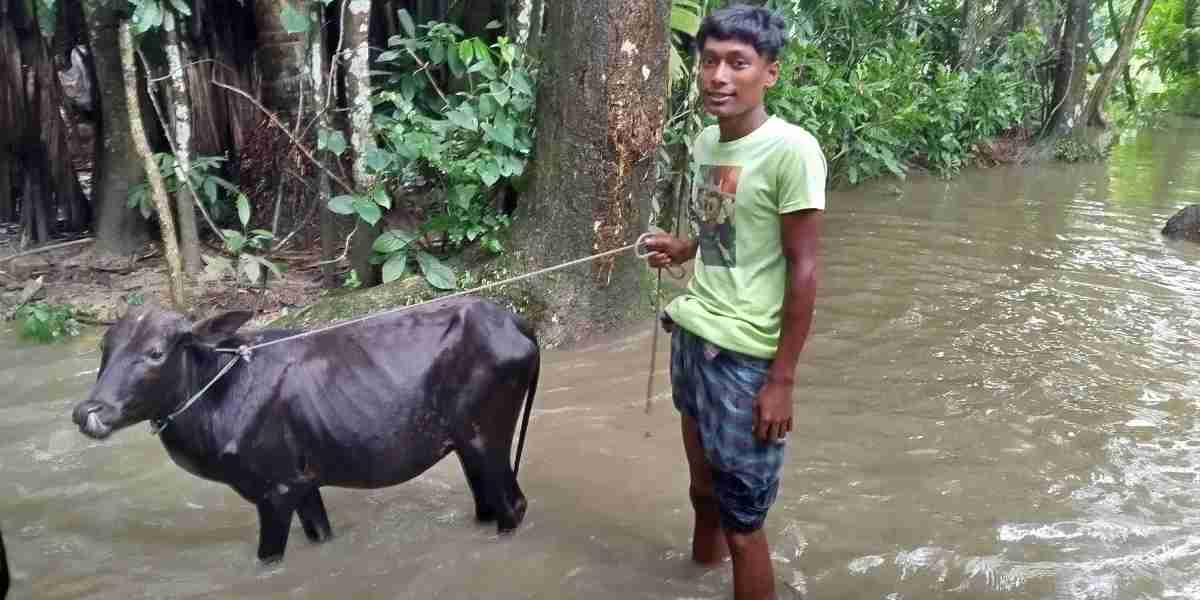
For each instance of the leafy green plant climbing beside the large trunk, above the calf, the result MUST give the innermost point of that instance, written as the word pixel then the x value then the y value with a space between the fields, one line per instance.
pixel 469 143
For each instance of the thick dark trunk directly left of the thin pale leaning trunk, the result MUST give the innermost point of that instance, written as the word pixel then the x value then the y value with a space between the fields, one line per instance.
pixel 119 230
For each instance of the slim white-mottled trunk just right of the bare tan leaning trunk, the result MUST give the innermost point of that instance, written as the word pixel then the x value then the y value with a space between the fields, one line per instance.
pixel 182 124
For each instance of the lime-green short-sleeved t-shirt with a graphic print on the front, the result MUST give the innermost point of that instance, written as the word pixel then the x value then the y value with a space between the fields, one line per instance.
pixel 736 297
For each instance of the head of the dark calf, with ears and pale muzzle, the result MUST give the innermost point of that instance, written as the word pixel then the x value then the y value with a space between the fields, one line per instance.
pixel 147 365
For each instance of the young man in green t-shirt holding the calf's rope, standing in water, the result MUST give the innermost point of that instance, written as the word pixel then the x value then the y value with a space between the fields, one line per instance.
pixel 740 329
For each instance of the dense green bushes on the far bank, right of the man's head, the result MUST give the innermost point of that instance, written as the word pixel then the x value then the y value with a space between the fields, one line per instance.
pixel 898 104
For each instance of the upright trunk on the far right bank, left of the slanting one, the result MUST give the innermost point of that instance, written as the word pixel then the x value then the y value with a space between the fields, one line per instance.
pixel 1071 75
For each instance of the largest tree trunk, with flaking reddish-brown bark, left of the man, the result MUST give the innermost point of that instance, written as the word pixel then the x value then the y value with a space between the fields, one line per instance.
pixel 601 116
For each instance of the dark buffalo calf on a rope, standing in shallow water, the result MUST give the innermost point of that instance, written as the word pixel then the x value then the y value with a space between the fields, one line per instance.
pixel 369 405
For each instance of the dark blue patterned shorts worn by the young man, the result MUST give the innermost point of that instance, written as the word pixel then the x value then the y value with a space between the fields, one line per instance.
pixel 718 388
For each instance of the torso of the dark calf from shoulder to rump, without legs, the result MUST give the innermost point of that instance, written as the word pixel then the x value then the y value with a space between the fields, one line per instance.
pixel 380 401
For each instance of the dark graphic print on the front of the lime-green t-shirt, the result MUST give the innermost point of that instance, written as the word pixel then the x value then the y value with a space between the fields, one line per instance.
pixel 713 214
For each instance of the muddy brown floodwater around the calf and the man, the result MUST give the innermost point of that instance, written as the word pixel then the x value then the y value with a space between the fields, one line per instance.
pixel 1001 400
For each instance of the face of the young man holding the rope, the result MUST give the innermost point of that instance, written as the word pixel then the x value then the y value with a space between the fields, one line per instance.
pixel 734 77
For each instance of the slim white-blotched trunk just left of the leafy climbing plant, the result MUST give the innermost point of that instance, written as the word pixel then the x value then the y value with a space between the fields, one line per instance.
pixel 358 92
